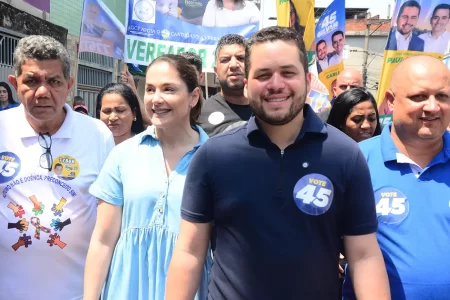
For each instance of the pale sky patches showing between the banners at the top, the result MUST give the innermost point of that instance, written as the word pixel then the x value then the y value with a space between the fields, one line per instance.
pixel 378 7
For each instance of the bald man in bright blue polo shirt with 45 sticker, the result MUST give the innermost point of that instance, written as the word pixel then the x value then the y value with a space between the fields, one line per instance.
pixel 410 168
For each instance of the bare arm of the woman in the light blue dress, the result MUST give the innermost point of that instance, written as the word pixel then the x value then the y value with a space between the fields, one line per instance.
pixel 101 248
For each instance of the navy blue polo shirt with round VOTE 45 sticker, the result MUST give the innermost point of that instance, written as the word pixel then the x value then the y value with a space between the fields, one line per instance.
pixel 279 215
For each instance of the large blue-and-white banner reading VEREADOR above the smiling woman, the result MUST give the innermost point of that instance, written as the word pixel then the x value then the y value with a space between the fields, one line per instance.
pixel 154 28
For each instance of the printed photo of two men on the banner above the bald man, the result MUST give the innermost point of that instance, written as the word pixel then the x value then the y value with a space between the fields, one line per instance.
pixel 420 26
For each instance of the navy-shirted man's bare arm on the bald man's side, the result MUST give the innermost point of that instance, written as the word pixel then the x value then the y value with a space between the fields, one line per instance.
pixel 366 267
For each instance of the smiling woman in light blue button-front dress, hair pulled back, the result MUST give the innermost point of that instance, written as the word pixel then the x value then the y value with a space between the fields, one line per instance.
pixel 140 189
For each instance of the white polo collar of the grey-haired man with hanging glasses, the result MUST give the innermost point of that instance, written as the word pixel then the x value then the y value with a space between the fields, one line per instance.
pixel 24 130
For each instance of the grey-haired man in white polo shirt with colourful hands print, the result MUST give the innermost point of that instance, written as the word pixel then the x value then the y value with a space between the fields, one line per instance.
pixel 49 156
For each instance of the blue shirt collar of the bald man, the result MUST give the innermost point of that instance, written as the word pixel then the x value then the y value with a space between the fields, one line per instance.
pixel 389 150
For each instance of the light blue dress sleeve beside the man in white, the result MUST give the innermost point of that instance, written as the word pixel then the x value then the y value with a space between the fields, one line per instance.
pixel 108 186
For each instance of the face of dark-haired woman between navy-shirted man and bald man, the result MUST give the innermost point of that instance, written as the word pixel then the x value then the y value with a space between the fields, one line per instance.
pixel 362 121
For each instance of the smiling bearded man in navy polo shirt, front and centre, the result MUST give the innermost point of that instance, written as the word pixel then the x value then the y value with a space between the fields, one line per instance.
pixel 281 192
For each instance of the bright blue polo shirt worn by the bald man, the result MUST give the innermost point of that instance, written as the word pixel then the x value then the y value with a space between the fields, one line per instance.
pixel 413 220
